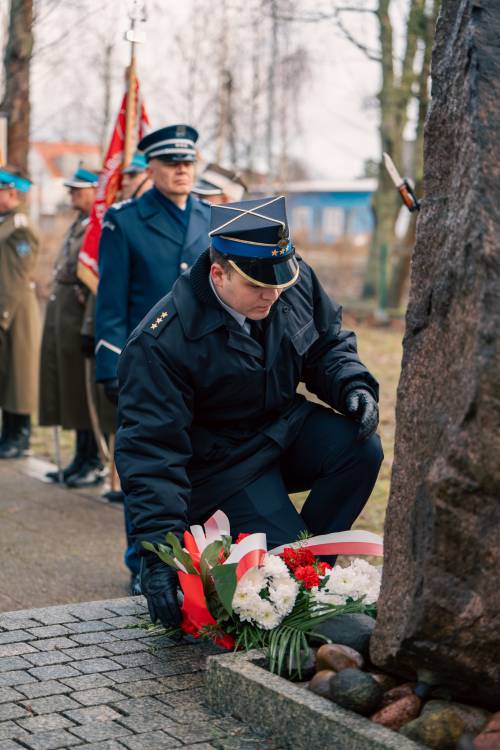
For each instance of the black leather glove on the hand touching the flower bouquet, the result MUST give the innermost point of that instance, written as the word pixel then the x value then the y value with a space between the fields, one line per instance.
pixel 159 584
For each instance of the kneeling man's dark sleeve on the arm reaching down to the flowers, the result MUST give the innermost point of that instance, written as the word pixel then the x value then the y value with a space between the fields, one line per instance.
pixel 153 446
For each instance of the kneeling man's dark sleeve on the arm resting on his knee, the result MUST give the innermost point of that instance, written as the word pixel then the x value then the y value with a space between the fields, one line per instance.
pixel 332 366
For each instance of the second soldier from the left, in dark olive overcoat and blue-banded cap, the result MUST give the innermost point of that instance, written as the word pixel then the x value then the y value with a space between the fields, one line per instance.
pixel 63 399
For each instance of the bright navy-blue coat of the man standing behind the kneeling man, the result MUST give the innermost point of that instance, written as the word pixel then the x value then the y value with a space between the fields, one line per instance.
pixel 141 253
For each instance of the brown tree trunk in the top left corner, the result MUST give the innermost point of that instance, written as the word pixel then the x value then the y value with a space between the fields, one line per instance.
pixel 16 102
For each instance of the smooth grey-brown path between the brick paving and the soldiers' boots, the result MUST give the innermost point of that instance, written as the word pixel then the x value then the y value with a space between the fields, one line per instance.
pixel 58 545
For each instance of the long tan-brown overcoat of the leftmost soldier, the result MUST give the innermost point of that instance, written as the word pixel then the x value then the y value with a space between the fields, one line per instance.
pixel 19 314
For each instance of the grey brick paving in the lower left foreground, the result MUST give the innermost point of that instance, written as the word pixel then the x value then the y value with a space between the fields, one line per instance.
pixel 79 676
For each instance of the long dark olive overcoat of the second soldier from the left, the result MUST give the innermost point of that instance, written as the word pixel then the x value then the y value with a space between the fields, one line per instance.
pixel 63 399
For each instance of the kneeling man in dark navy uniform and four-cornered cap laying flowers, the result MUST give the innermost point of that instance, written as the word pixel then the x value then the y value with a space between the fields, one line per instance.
pixel 209 413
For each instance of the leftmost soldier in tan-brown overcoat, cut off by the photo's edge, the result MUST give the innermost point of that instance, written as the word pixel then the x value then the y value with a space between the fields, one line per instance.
pixel 19 316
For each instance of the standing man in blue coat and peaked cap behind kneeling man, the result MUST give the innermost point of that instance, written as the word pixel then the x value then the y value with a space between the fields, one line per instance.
pixel 145 245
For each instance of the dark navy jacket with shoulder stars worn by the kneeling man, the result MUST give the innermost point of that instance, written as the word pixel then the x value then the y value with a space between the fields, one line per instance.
pixel 204 410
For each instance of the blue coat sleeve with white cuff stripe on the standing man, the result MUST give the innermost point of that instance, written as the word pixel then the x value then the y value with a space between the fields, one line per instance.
pixel 111 320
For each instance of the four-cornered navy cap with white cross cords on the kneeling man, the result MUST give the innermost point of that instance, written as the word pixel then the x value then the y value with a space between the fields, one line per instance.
pixel 254 237
